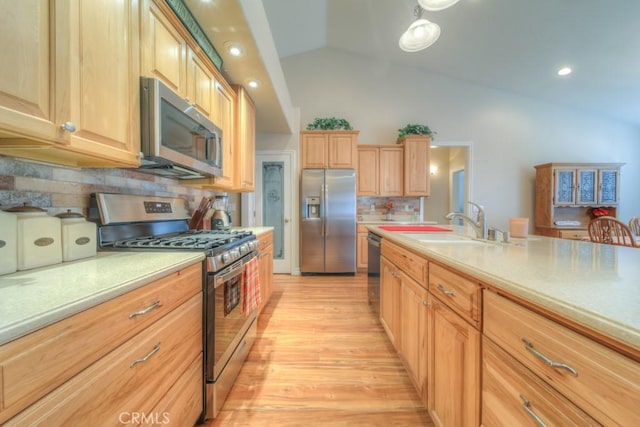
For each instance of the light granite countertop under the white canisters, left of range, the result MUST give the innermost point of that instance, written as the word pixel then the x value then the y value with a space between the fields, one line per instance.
pixel 32 299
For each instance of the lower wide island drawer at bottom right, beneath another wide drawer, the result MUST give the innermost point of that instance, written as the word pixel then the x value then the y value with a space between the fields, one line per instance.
pixel 513 396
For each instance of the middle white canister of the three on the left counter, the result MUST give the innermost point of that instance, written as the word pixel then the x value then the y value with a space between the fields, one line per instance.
pixel 39 237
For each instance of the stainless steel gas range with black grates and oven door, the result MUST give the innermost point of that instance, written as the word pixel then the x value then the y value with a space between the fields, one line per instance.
pixel 151 223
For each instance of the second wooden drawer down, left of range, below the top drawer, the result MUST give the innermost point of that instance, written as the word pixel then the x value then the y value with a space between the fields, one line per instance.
pixel 132 379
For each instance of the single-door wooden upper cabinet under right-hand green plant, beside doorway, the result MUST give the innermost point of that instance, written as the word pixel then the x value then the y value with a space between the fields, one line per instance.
pixel 416 165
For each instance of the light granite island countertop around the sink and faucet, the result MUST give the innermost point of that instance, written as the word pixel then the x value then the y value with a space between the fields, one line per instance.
pixel 595 285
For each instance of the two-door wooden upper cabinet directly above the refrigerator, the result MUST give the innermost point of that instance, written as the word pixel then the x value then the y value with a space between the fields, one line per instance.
pixel 333 149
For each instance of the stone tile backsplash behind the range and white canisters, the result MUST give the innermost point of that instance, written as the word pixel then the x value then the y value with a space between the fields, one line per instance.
pixel 58 188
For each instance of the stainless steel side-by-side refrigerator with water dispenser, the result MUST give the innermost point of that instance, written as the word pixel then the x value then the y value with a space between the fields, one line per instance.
pixel 328 221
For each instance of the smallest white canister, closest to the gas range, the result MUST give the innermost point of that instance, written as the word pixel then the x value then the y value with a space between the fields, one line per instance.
pixel 78 236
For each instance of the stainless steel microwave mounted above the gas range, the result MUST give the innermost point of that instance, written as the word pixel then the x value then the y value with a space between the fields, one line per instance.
pixel 177 141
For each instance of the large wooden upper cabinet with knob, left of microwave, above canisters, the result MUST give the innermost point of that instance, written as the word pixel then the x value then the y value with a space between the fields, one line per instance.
pixel 71 95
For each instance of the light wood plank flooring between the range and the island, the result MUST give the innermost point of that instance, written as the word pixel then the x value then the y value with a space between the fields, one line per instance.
pixel 321 359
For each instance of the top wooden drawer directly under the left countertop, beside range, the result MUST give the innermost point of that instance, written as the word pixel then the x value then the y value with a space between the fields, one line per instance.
pixel 67 347
